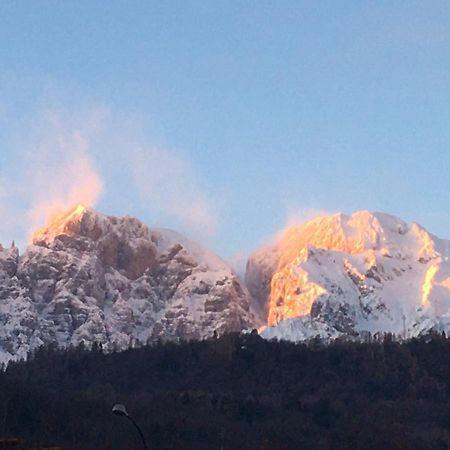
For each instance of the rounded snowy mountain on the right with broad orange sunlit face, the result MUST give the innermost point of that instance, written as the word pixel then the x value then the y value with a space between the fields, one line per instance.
pixel 349 275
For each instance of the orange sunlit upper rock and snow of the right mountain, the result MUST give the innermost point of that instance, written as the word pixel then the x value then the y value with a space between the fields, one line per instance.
pixel 365 237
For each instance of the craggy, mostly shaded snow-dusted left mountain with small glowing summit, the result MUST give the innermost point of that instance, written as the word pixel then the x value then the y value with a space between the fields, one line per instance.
pixel 96 278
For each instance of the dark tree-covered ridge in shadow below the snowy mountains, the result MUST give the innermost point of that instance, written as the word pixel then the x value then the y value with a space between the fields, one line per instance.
pixel 236 392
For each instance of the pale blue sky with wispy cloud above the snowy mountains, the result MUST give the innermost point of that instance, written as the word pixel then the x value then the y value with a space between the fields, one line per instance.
pixel 226 119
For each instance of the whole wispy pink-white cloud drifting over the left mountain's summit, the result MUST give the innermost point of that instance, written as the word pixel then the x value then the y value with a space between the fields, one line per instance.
pixel 81 154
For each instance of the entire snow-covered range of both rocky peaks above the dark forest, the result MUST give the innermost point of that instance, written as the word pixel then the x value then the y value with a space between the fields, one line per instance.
pixel 88 277
